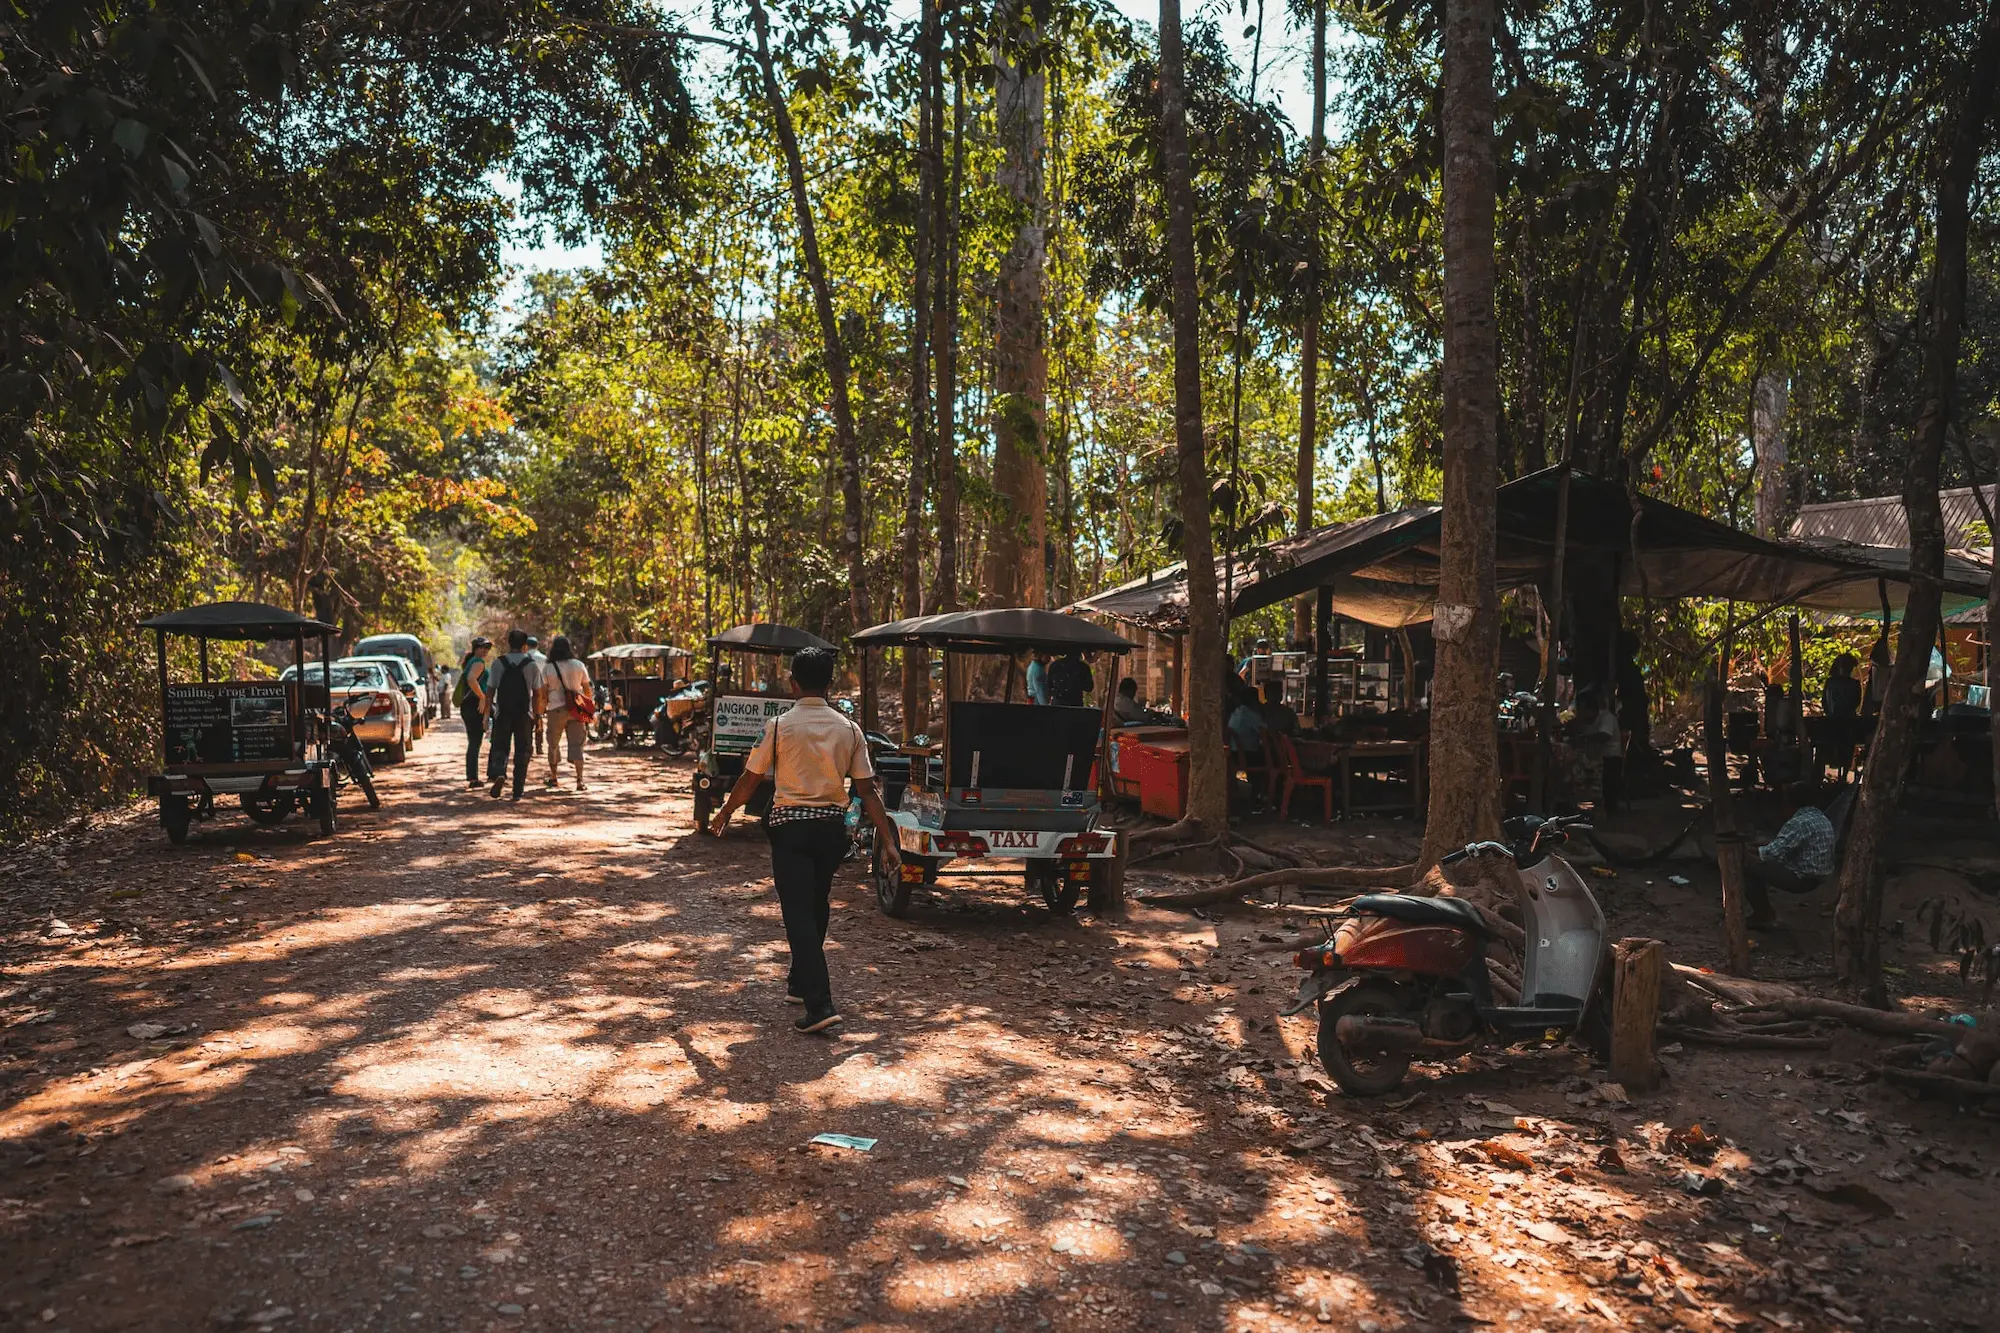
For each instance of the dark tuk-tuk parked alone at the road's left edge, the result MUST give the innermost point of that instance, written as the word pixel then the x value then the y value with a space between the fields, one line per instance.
pixel 261 742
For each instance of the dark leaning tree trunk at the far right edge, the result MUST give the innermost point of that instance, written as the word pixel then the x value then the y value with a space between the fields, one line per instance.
pixel 1859 912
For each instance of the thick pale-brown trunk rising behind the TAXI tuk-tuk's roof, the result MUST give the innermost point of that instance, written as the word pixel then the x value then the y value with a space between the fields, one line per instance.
pixel 1019 533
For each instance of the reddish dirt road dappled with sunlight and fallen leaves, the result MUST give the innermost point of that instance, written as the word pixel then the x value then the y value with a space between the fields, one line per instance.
pixel 475 1066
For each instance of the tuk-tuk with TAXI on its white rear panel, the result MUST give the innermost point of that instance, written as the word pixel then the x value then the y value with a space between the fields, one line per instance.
pixel 1011 782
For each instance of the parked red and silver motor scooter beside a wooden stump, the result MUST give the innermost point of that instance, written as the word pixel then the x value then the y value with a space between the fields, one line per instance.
pixel 1407 976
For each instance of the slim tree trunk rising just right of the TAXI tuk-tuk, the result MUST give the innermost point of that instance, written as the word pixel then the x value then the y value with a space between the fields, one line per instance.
pixel 1207 760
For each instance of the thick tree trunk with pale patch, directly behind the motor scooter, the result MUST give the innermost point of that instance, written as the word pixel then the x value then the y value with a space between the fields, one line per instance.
pixel 1465 760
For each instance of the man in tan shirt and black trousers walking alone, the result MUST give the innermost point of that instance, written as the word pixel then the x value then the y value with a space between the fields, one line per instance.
pixel 811 756
